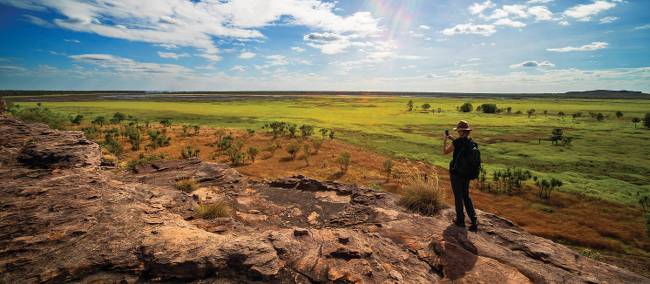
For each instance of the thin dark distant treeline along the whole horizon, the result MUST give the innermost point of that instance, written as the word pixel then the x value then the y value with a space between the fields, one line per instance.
pixel 596 94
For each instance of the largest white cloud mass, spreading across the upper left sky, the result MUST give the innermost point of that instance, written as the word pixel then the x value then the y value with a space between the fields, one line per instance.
pixel 196 23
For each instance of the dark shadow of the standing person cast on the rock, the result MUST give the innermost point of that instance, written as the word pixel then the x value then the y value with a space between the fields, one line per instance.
pixel 459 255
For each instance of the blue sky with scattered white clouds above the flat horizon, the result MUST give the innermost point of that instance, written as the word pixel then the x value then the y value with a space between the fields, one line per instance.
pixel 317 45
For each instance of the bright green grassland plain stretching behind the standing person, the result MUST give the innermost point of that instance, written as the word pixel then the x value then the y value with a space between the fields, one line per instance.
pixel 608 159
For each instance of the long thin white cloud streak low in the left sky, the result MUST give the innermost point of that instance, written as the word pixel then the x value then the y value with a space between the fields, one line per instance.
pixel 125 65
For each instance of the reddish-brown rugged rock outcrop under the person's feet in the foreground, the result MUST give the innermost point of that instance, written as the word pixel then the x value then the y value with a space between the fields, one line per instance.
pixel 64 219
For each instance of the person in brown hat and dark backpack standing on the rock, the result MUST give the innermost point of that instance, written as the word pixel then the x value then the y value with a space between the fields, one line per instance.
pixel 464 166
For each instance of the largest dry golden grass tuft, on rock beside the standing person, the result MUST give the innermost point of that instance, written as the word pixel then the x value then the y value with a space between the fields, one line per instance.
pixel 421 193
